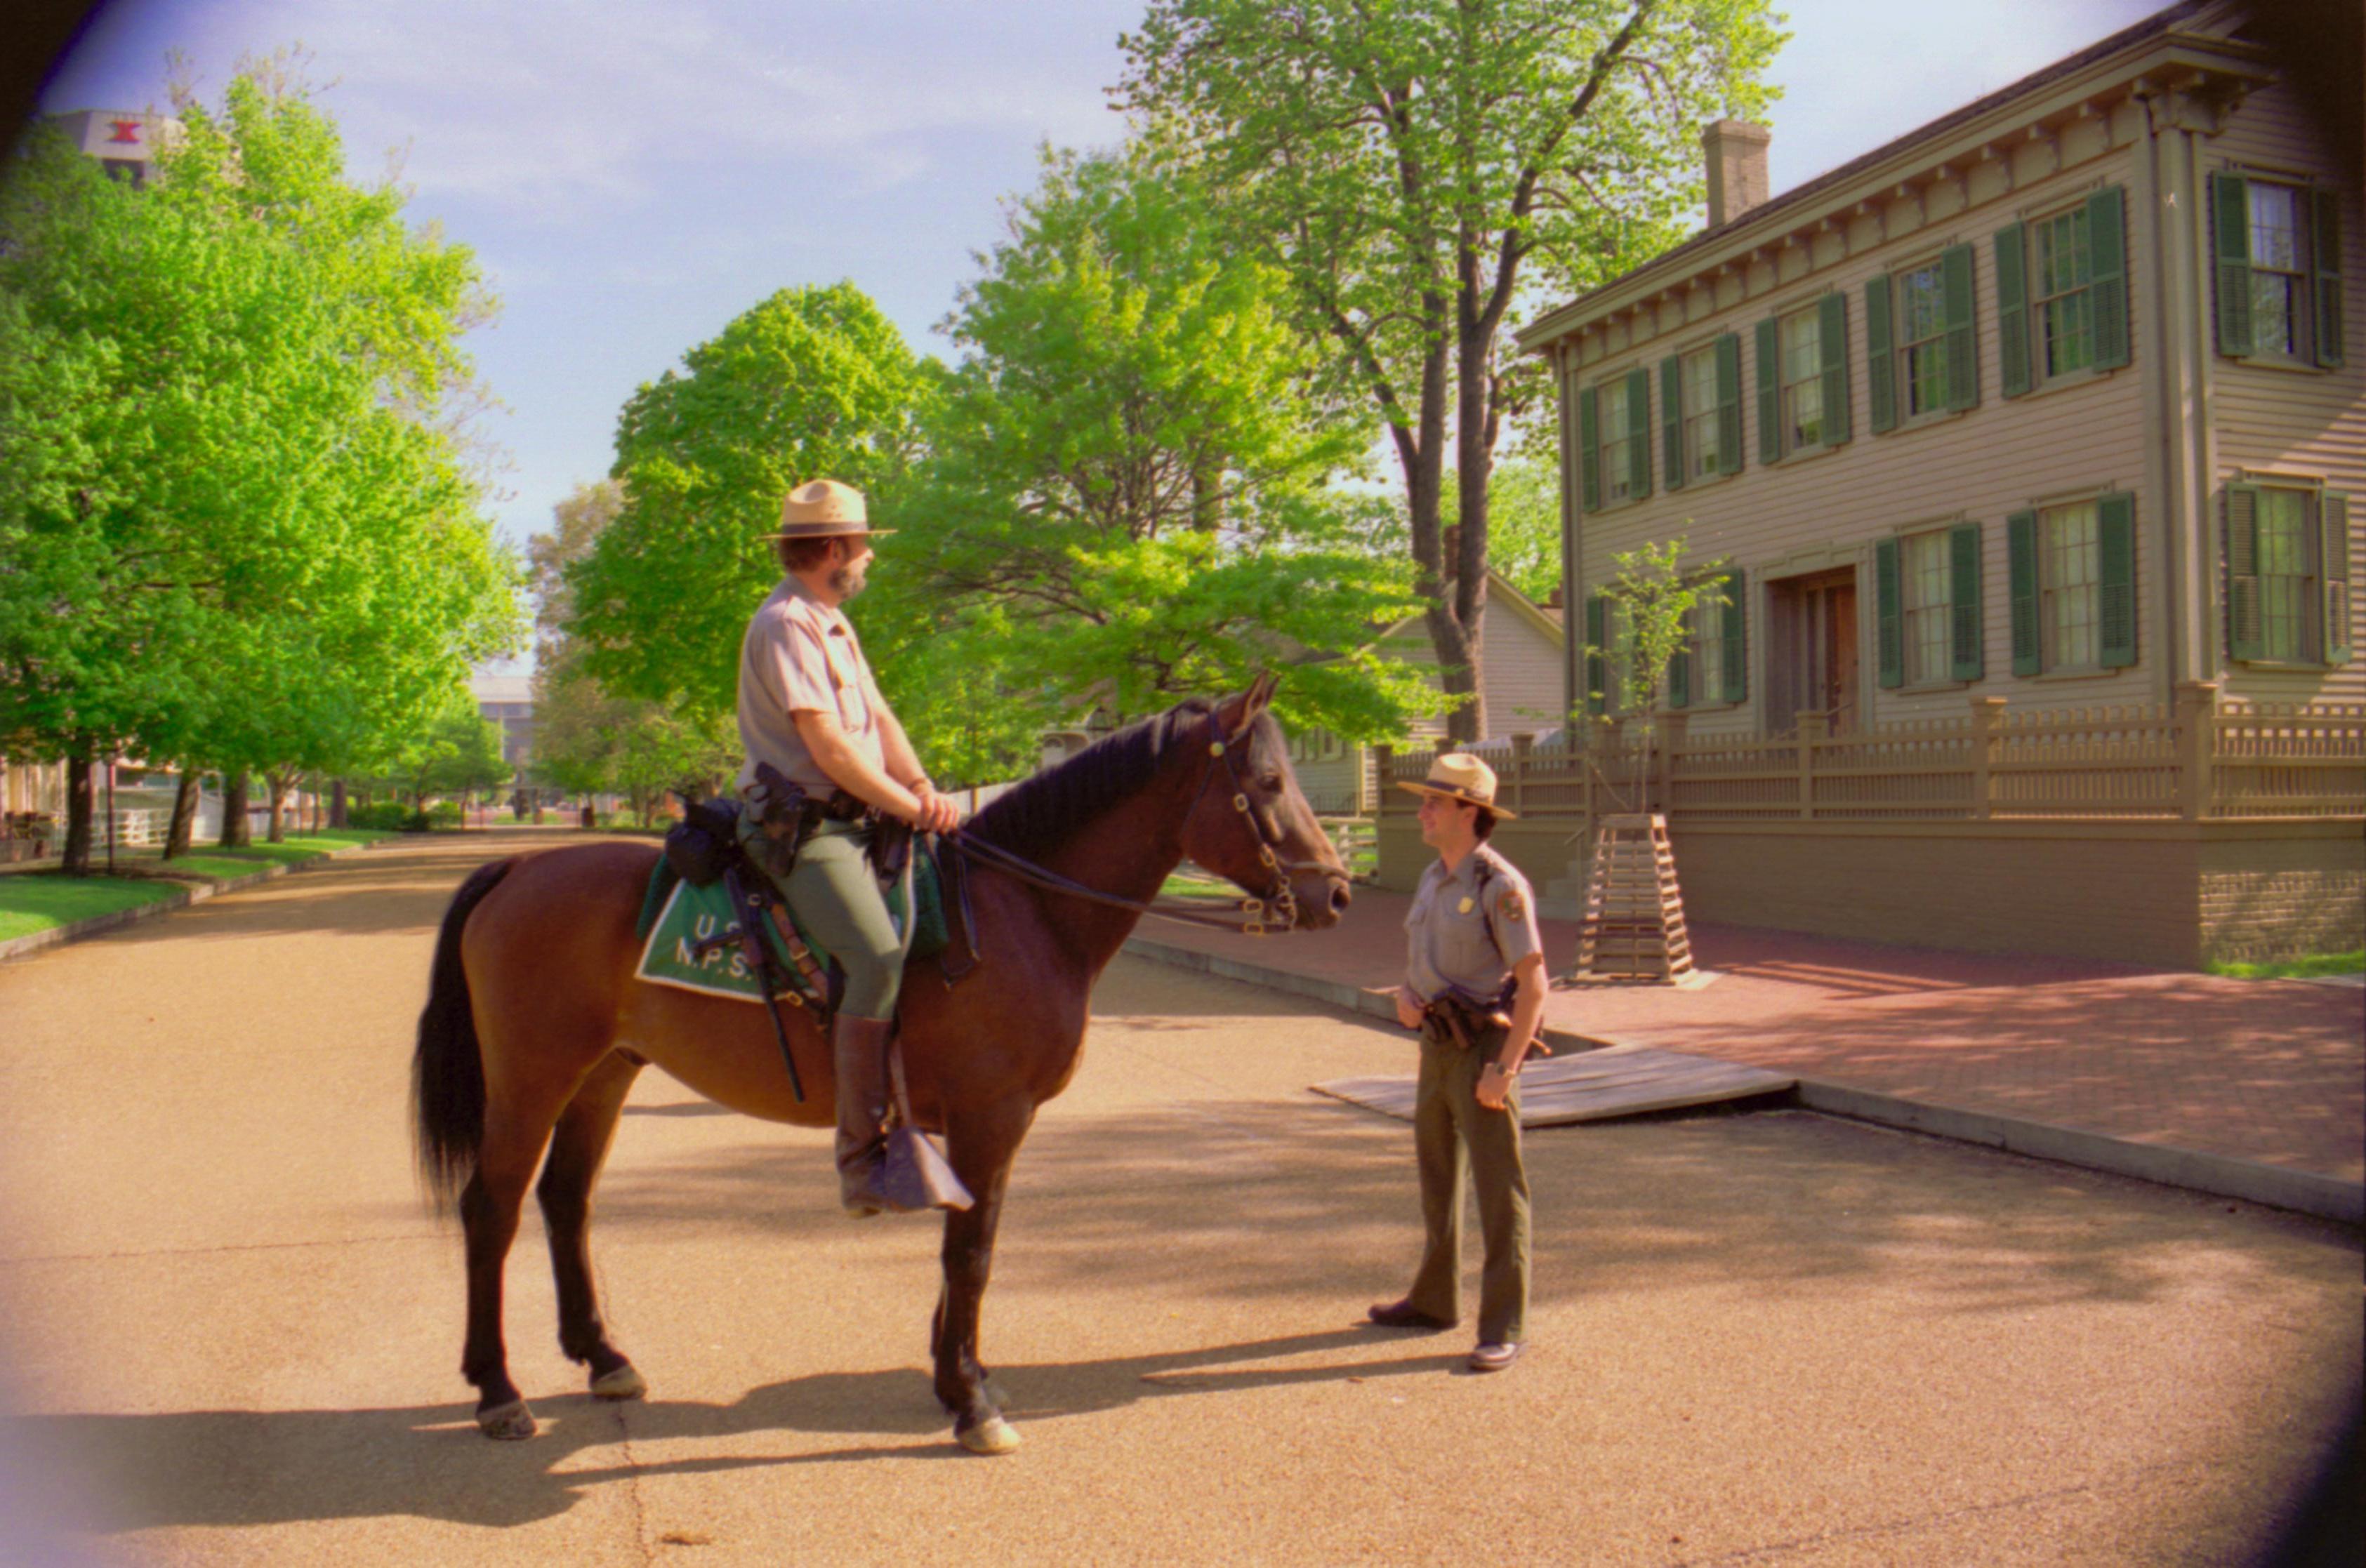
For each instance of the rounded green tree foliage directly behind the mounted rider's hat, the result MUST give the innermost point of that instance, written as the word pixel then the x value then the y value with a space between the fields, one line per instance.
pixel 808 384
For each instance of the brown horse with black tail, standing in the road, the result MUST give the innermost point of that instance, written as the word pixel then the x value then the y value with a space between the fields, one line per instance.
pixel 536 1025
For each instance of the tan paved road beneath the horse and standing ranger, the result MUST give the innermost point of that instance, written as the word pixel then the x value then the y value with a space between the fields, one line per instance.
pixel 1769 1340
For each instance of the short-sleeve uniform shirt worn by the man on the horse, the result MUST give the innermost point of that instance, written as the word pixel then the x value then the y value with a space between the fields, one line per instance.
pixel 801 654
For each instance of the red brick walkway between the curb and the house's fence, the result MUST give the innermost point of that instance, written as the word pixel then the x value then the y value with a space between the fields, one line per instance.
pixel 2256 1070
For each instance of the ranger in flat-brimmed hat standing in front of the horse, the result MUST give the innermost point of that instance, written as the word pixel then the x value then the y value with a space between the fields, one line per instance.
pixel 1473 954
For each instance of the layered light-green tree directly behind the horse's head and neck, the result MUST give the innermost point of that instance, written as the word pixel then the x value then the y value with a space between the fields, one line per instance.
pixel 1132 488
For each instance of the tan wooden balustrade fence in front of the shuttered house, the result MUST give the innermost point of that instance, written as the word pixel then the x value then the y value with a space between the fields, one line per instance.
pixel 2192 760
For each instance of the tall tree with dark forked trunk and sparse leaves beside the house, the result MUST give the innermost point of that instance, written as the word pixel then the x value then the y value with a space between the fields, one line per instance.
pixel 1421 169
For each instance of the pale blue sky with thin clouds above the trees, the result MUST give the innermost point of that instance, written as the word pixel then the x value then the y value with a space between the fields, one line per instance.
pixel 638 174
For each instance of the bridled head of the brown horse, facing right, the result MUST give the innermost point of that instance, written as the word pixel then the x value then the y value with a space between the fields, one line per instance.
pixel 1253 827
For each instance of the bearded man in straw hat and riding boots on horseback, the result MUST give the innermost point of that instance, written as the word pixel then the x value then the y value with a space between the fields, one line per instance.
pixel 827 763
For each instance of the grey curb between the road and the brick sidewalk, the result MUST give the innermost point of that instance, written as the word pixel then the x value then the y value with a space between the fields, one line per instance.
pixel 2216 1174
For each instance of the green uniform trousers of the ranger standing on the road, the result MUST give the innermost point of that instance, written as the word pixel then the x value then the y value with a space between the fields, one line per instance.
pixel 1449 1125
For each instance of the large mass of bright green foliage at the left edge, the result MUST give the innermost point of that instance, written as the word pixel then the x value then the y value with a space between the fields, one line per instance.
pixel 240 519
